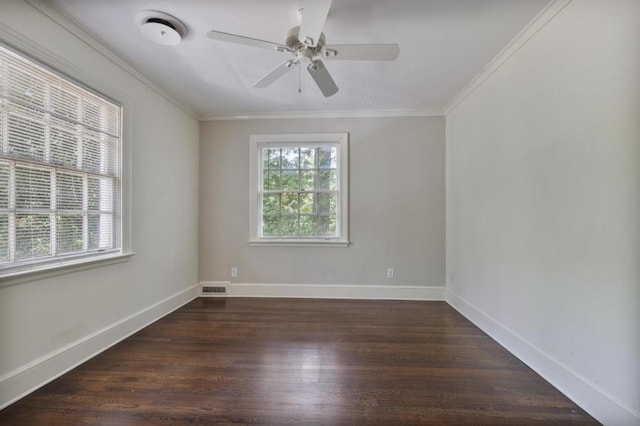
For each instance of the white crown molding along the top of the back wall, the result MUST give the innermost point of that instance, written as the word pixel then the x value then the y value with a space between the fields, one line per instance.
pixel 436 112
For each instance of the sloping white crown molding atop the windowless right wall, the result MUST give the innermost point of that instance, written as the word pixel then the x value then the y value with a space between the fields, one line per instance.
pixel 531 29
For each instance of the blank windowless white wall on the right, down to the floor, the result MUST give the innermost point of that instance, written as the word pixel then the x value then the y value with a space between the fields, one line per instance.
pixel 543 205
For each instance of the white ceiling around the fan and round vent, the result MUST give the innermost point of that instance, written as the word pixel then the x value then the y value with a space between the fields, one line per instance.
pixel 443 45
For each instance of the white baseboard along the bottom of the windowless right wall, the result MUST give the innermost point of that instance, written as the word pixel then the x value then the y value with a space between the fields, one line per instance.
pixel 597 402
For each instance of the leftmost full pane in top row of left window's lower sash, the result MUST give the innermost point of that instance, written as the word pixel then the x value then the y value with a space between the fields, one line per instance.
pixel 33 188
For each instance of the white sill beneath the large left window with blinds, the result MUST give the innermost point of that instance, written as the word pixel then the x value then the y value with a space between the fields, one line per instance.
pixel 34 272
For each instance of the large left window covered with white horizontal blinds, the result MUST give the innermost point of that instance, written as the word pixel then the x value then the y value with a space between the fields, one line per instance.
pixel 60 186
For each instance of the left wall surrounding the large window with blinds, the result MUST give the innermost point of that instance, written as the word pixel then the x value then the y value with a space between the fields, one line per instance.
pixel 47 325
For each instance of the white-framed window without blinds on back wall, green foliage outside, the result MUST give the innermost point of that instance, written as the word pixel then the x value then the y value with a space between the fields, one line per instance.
pixel 299 188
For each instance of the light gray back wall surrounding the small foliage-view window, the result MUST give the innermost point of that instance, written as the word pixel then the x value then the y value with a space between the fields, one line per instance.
pixel 396 207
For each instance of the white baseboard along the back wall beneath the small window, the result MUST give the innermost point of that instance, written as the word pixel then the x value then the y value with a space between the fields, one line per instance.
pixel 333 291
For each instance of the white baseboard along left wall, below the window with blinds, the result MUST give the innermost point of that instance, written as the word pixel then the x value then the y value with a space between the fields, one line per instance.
pixel 29 377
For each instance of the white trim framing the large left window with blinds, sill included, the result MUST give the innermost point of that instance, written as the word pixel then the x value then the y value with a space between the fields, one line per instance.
pixel 29 272
